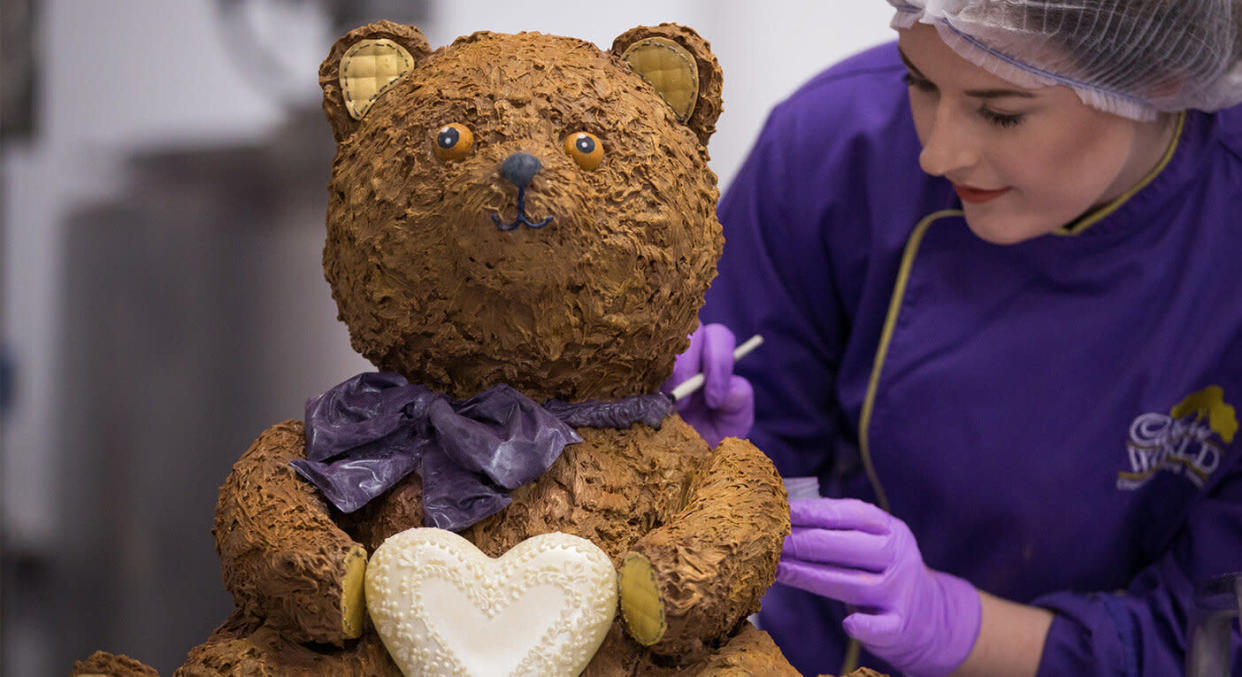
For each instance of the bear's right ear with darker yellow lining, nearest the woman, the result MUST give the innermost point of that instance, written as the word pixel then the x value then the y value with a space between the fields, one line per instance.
pixel 681 66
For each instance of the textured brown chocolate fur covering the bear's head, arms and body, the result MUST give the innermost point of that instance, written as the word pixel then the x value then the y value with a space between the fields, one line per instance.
pixel 594 306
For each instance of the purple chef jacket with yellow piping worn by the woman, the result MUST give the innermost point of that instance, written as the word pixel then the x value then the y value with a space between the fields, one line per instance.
pixel 1056 420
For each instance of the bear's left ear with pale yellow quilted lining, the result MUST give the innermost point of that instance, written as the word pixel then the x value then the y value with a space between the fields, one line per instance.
pixel 362 66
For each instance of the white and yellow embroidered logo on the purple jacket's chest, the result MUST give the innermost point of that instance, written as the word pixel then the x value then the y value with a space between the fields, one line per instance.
pixel 1187 442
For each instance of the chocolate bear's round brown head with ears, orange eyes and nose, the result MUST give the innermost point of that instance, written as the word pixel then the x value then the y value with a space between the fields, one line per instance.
pixel 522 209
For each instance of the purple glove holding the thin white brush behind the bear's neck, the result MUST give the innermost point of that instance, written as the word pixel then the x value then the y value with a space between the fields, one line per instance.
pixel 726 404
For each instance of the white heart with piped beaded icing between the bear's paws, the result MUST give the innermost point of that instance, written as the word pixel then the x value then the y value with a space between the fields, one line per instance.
pixel 444 608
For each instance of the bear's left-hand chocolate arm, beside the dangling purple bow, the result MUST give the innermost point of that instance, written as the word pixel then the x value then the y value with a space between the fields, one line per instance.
pixel 284 558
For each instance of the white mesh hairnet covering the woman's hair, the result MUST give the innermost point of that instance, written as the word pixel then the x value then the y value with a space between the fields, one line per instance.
pixel 1130 58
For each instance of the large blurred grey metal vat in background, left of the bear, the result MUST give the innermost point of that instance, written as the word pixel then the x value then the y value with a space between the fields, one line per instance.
pixel 201 317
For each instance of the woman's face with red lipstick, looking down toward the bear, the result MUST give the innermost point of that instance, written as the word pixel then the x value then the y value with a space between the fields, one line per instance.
pixel 1024 162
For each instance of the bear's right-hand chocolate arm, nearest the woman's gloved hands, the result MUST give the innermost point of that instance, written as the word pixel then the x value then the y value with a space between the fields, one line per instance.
pixel 695 578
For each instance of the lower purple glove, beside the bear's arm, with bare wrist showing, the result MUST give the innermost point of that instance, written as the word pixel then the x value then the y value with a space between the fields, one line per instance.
pixel 920 620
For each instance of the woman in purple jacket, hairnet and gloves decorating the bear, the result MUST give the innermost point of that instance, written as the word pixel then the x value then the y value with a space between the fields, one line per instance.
pixel 1003 310
